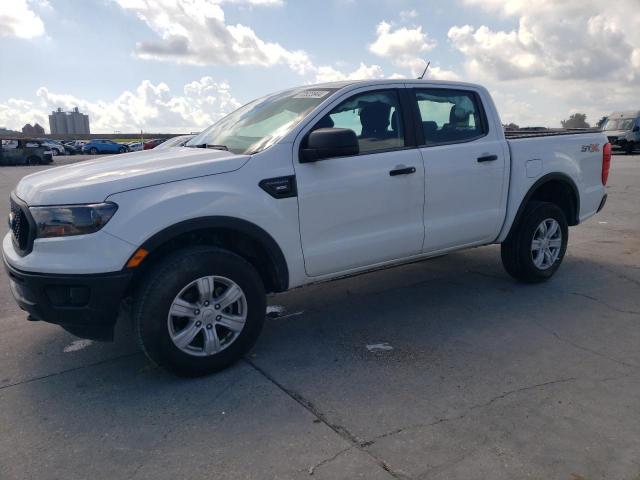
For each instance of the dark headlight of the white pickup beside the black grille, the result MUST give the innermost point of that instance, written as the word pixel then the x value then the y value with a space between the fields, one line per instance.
pixel 68 220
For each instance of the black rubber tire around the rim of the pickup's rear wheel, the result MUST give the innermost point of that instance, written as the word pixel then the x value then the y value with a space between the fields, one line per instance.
pixel 516 253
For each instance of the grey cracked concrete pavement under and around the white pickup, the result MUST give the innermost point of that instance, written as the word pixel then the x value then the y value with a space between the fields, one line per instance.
pixel 445 369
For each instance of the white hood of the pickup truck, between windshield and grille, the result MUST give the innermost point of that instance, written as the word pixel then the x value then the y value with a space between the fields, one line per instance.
pixel 93 181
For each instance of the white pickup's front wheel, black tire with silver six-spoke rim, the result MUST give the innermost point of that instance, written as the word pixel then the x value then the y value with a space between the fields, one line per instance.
pixel 199 311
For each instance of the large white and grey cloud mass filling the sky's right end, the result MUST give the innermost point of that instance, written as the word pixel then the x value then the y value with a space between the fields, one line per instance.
pixel 579 55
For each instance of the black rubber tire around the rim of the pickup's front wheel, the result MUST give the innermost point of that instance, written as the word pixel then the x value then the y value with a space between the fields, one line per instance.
pixel 161 286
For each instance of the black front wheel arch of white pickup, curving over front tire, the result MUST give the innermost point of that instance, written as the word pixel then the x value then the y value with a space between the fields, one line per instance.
pixel 239 236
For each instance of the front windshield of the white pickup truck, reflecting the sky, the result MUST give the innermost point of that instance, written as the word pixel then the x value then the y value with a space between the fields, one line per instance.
pixel 261 123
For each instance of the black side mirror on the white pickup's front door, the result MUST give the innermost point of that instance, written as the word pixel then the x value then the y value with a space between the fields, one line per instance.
pixel 329 142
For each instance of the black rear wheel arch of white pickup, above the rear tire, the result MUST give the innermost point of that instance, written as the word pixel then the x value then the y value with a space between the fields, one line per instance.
pixel 556 188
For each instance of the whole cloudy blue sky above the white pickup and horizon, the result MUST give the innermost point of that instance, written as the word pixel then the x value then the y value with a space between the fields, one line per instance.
pixel 179 65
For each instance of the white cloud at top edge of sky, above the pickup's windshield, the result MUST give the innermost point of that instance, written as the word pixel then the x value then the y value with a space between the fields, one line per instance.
pixel 195 32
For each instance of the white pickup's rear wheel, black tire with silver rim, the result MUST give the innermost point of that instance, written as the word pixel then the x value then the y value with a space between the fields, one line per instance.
pixel 535 248
